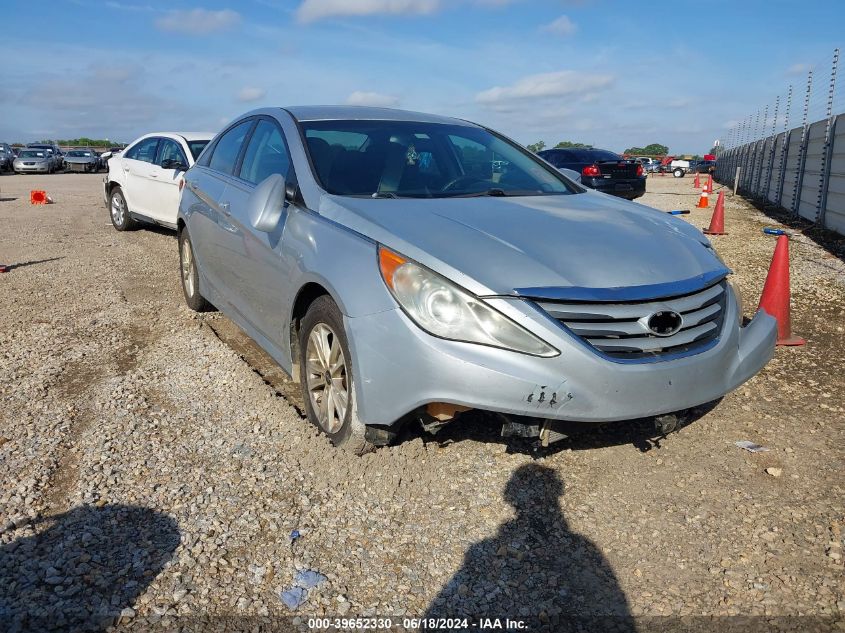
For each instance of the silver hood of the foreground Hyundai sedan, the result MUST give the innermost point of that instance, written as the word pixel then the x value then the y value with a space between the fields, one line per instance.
pixel 539 246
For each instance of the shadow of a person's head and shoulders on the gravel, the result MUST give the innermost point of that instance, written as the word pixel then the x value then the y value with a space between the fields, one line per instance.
pixel 535 569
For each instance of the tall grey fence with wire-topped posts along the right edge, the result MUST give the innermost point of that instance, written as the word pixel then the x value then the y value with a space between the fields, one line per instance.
pixel 792 152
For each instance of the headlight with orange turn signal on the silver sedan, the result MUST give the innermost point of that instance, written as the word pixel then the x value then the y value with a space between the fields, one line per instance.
pixel 445 310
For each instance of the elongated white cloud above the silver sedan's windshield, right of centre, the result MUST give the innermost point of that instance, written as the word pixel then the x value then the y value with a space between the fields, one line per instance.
pixel 563 83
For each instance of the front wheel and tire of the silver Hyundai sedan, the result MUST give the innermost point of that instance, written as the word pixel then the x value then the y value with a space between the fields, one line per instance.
pixel 322 336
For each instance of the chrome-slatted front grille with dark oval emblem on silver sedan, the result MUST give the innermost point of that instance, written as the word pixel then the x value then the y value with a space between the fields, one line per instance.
pixel 620 330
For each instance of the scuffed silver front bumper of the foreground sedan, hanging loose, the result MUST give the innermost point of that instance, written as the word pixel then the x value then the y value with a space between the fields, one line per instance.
pixel 399 368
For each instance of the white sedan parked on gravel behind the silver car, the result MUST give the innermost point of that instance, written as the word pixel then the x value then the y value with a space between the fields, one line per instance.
pixel 143 181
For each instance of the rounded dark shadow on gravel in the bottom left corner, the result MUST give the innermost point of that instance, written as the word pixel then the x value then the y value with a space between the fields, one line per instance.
pixel 84 569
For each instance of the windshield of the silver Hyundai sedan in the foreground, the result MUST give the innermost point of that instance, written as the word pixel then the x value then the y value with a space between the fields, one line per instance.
pixel 409 159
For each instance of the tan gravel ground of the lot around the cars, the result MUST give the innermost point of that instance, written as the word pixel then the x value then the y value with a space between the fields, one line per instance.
pixel 152 468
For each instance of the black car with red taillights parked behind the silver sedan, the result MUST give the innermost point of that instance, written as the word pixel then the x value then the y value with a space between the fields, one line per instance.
pixel 602 170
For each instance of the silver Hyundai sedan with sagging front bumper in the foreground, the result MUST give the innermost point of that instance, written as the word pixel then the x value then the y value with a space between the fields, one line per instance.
pixel 380 260
